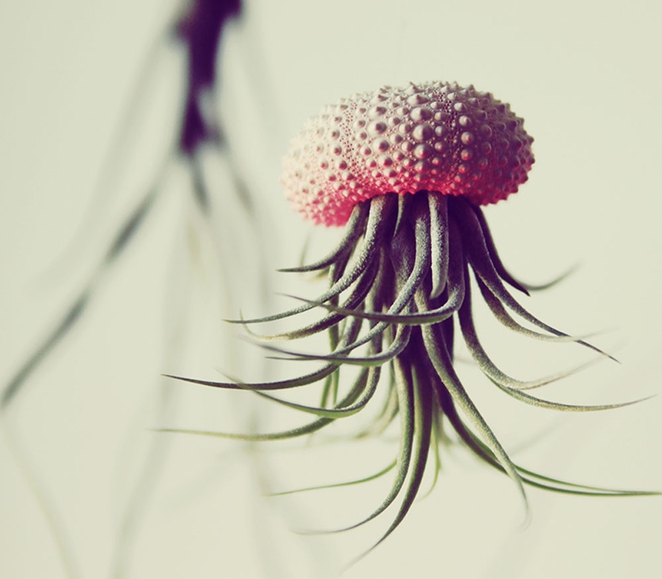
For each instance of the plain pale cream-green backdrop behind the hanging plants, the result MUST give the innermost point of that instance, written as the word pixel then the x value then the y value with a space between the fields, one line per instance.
pixel 586 77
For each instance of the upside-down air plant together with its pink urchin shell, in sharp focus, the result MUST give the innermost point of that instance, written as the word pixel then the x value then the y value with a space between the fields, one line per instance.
pixel 406 171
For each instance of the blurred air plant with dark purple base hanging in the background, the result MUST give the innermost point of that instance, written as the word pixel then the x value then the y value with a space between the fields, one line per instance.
pixel 197 31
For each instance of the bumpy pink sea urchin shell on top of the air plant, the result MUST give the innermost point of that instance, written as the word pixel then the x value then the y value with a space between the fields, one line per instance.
pixel 432 136
